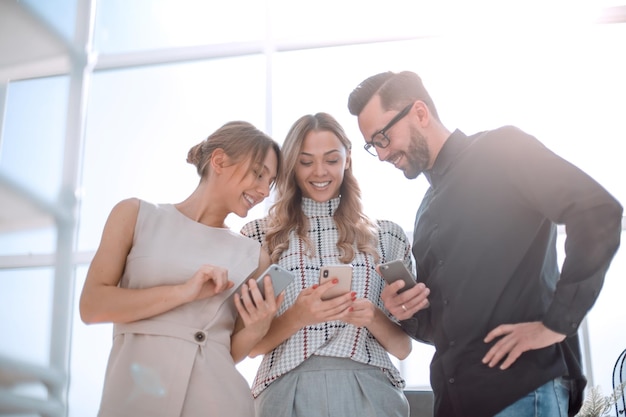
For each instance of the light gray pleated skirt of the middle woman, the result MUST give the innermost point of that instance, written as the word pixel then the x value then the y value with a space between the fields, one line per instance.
pixel 324 386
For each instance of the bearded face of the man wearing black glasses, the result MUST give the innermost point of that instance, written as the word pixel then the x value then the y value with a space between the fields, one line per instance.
pixel 408 147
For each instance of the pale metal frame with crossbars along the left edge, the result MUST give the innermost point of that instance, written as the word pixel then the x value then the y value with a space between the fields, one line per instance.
pixel 63 214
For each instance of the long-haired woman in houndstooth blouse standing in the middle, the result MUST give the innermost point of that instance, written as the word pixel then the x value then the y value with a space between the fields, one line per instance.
pixel 328 357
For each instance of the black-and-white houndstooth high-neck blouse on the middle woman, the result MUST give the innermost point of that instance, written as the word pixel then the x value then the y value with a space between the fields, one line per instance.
pixel 335 338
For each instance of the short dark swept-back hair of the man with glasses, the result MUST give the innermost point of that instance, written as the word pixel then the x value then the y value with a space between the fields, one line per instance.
pixel 396 90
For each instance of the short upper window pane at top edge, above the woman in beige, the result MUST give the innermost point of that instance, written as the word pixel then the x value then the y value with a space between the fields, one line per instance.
pixel 123 26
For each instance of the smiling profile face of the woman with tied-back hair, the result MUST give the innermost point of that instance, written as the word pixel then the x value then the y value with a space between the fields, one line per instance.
pixel 248 185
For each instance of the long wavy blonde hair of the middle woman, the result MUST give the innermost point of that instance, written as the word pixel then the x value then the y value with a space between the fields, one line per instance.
pixel 285 215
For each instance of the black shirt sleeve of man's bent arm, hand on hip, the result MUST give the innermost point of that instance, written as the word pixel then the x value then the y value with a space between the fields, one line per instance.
pixel 592 217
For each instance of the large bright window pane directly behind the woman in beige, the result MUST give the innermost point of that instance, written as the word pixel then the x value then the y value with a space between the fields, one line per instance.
pixel 142 122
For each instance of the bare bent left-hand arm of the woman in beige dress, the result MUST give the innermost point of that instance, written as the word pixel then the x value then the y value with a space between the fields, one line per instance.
pixel 103 301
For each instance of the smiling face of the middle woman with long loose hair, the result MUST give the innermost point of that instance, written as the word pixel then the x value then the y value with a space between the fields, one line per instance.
pixel 321 164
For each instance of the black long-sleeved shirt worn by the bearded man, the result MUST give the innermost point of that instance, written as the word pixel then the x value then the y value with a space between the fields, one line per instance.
pixel 485 245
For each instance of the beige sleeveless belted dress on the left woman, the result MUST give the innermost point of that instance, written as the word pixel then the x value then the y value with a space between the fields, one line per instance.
pixel 179 363
